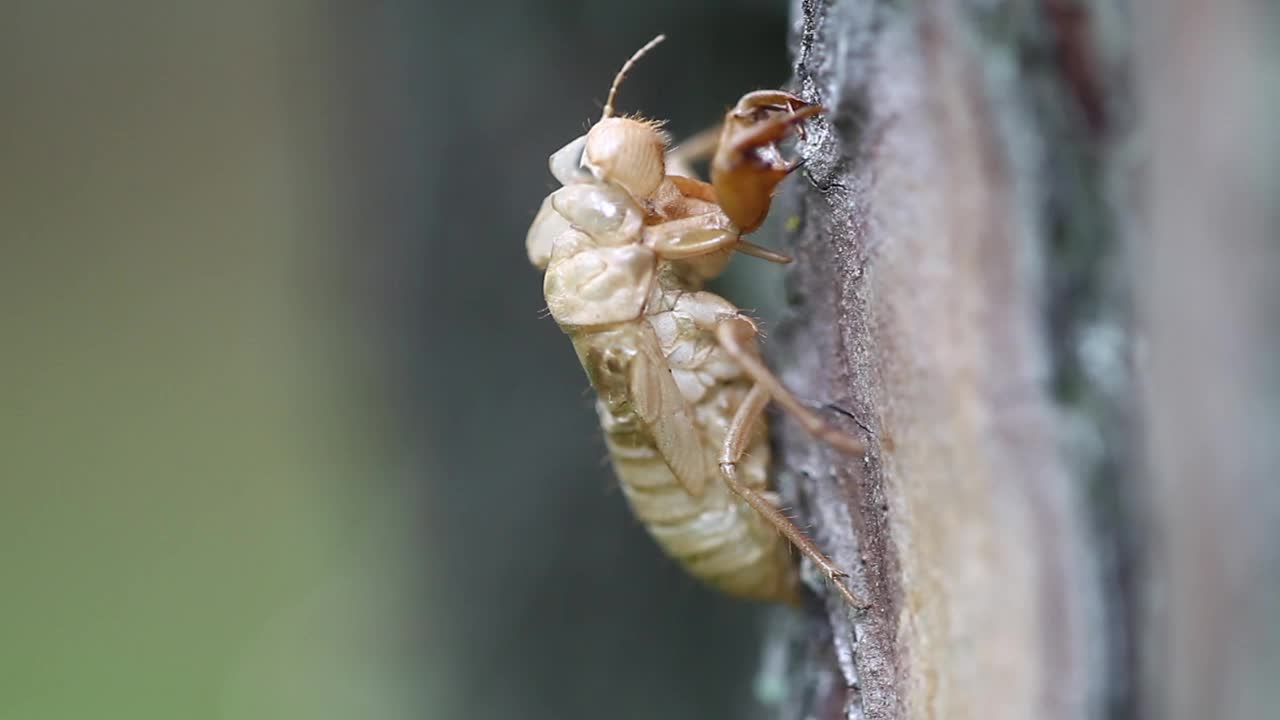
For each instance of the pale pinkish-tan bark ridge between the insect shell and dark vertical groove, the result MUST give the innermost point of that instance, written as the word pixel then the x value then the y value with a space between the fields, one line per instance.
pixel 920 298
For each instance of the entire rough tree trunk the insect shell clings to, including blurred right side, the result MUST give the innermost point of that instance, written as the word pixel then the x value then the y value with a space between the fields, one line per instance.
pixel 1052 309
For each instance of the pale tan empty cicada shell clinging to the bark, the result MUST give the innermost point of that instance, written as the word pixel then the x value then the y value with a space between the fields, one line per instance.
pixel 628 249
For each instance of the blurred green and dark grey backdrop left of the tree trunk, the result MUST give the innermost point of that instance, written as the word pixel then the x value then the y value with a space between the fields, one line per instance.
pixel 284 434
